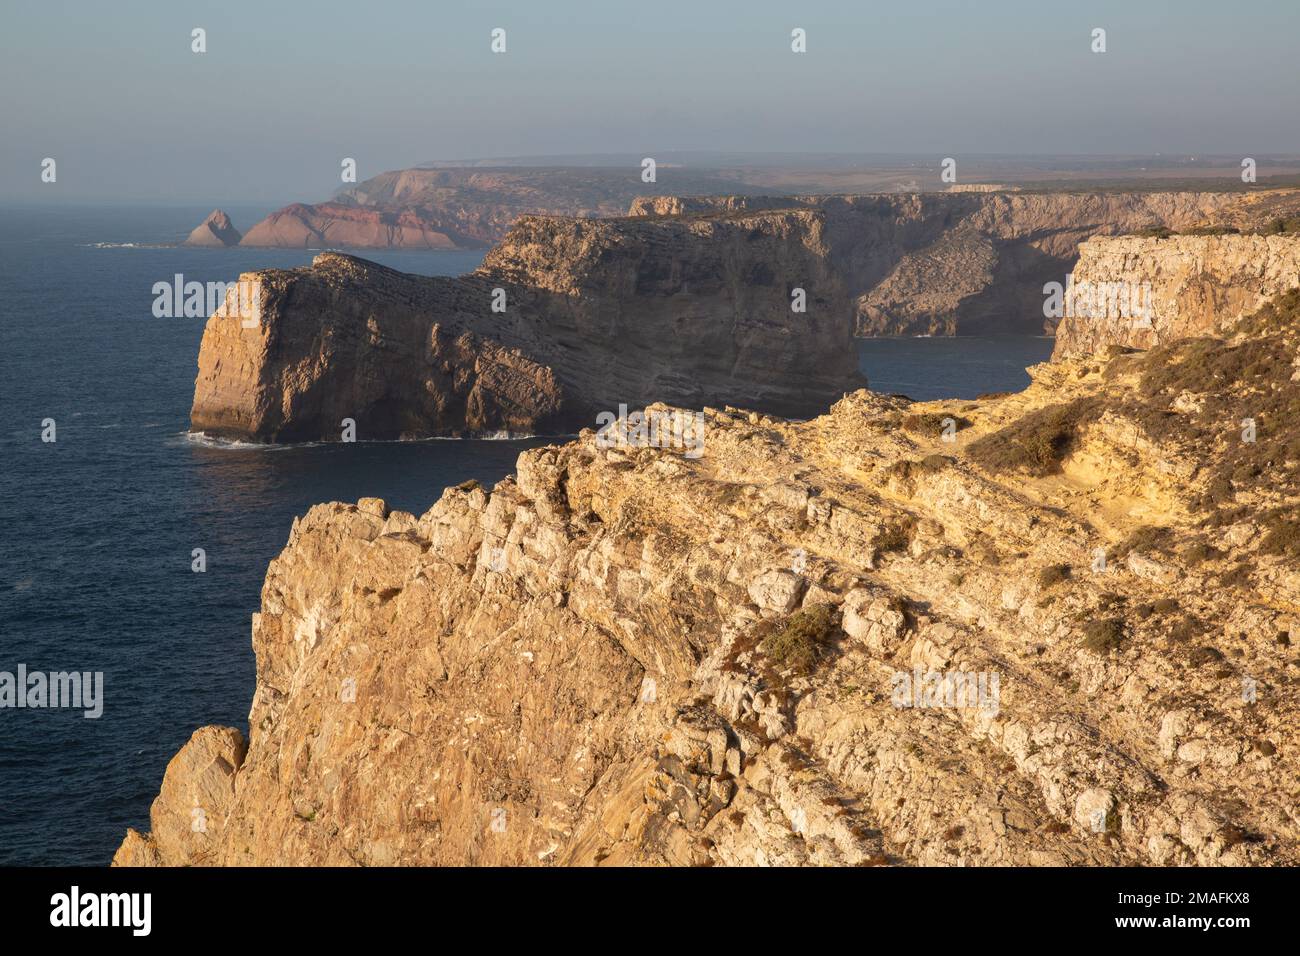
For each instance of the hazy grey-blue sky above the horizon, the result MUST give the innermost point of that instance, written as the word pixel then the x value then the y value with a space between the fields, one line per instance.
pixel 285 92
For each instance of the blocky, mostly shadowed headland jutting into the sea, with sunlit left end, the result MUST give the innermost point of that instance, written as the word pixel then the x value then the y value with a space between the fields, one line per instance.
pixel 599 314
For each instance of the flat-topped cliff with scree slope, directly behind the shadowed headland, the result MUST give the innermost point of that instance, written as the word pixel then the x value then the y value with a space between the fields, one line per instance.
pixel 977 262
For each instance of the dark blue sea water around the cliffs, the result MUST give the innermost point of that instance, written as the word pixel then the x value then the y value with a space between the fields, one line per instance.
pixel 97 530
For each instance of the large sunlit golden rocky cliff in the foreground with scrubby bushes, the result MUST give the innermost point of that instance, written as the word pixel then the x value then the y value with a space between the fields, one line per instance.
pixel 850 641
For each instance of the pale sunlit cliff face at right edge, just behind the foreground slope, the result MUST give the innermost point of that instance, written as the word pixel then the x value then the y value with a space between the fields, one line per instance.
pixel 1194 287
